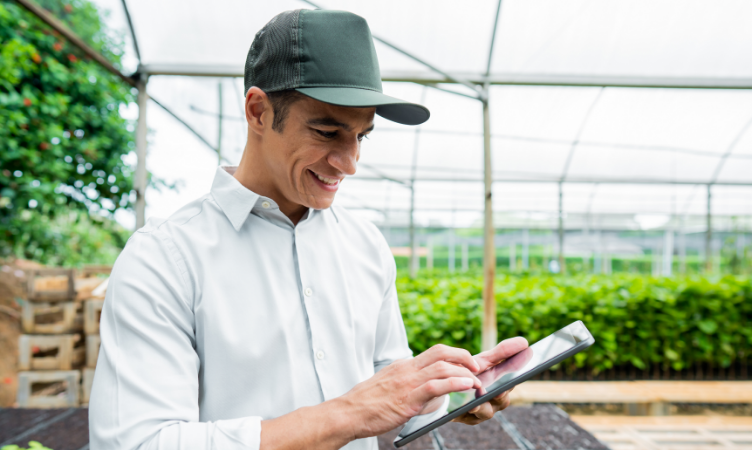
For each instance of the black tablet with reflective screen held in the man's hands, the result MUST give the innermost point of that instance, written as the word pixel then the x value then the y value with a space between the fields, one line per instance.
pixel 519 364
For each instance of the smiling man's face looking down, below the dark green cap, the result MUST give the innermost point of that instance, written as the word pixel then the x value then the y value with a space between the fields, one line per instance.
pixel 317 148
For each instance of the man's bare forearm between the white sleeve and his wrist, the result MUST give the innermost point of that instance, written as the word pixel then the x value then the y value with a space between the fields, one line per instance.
pixel 328 425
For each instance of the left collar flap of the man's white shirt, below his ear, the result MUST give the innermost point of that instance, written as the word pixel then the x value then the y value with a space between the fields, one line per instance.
pixel 236 200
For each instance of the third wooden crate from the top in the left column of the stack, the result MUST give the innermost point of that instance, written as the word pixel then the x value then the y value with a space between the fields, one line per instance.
pixel 44 352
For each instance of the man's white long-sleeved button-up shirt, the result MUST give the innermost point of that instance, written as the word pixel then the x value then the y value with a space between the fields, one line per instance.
pixel 226 314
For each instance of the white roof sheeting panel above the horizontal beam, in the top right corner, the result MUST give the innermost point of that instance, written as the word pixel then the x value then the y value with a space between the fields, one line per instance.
pixel 637 37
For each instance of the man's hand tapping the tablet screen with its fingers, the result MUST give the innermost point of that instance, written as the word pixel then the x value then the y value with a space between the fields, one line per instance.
pixel 406 388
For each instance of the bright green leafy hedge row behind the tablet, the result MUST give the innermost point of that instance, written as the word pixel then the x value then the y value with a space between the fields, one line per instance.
pixel 636 320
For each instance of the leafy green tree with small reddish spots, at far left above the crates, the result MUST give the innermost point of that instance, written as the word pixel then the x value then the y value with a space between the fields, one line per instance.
pixel 62 141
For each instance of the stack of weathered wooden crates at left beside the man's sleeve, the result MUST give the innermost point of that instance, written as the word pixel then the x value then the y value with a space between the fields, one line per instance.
pixel 53 349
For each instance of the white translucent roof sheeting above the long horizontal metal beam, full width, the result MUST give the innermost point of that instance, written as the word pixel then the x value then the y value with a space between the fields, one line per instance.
pixel 611 37
